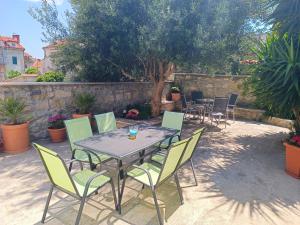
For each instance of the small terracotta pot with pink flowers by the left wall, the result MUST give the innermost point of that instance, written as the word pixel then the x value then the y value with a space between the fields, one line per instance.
pixel 56 128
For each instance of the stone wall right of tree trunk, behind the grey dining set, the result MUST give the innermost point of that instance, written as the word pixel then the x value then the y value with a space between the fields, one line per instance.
pixel 212 86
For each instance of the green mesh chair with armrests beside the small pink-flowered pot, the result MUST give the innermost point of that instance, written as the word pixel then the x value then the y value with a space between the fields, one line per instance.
pixel 79 129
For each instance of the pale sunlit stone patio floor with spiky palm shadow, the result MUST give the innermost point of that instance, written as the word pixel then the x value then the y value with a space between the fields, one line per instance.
pixel 241 178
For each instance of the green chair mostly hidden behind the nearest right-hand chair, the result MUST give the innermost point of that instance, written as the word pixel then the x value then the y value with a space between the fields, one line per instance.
pixel 188 154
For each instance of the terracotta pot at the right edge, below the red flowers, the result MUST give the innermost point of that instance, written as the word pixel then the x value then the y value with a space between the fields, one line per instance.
pixel 292 160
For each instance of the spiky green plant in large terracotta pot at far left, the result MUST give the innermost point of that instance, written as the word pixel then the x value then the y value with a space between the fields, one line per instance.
pixel 15 130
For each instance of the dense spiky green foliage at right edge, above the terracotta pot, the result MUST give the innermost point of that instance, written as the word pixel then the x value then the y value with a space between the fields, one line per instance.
pixel 276 81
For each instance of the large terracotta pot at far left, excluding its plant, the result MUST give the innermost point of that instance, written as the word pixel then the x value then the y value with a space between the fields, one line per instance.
pixel 15 137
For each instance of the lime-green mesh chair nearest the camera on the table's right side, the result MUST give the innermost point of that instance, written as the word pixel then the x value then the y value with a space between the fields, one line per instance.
pixel 152 176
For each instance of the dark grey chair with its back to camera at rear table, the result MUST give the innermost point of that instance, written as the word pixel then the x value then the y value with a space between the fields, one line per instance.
pixel 219 110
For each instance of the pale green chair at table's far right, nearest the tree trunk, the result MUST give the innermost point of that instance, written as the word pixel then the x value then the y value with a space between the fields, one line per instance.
pixel 173 120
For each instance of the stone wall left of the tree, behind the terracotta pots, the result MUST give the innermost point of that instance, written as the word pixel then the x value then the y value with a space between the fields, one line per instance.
pixel 44 99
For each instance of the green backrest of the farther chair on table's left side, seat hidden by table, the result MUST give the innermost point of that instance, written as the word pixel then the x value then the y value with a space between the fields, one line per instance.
pixel 106 122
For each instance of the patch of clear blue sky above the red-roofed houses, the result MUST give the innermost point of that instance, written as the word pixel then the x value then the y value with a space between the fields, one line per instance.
pixel 14 18
